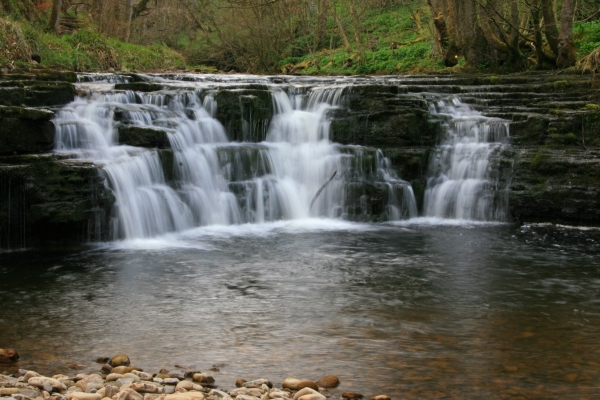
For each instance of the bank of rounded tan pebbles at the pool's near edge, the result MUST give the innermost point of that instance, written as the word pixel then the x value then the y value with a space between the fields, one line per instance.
pixel 117 379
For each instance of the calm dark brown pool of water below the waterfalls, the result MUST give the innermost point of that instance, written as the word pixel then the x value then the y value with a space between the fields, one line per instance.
pixel 413 310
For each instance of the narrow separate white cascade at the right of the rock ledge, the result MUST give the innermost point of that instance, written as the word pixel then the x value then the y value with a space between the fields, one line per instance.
pixel 462 183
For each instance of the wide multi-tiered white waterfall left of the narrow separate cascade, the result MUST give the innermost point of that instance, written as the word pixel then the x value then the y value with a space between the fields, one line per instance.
pixel 215 181
